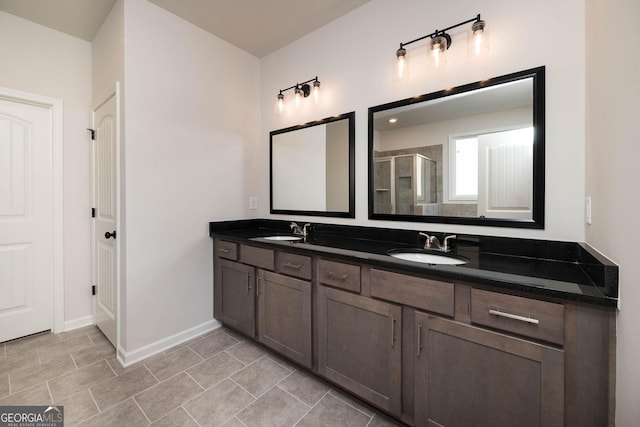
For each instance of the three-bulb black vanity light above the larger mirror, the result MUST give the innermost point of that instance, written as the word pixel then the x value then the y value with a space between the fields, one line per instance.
pixel 441 41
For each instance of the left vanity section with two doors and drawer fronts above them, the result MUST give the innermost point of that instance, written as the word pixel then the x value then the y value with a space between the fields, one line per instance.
pixel 252 298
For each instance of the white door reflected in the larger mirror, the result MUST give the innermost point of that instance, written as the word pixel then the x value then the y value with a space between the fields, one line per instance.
pixel 505 174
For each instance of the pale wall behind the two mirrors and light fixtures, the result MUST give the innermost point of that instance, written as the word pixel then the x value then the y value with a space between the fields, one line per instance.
pixel 353 58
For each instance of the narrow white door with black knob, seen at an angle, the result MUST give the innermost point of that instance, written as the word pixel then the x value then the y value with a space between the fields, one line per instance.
pixel 105 250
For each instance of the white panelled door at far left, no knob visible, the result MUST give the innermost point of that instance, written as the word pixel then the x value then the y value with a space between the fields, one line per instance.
pixel 26 219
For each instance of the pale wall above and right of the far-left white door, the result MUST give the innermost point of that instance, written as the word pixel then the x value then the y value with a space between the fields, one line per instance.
pixel 41 61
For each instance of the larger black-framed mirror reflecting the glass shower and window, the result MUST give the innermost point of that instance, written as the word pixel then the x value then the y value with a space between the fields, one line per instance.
pixel 473 154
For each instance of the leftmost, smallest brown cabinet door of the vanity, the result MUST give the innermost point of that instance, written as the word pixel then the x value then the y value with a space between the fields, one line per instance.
pixel 234 296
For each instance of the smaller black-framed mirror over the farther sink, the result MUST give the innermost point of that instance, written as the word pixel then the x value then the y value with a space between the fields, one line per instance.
pixel 312 168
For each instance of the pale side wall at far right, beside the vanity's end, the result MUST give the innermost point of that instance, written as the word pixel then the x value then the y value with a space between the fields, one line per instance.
pixel 613 173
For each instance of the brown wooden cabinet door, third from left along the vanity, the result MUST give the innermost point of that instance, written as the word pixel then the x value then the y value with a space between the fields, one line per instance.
pixel 360 346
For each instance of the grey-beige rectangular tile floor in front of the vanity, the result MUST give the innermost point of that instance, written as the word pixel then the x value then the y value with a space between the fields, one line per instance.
pixel 219 379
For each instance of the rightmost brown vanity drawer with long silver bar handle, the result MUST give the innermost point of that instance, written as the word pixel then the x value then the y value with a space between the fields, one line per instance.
pixel 532 318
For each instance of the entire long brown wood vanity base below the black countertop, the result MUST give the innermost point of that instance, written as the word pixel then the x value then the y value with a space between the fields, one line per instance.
pixel 427 351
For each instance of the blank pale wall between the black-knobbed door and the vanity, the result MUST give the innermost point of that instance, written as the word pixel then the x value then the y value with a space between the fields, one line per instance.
pixel 192 121
